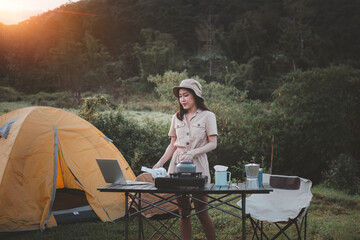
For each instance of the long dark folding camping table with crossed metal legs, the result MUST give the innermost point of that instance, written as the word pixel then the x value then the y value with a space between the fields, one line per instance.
pixel 235 191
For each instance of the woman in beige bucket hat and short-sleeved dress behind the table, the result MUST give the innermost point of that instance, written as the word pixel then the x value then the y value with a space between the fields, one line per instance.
pixel 193 133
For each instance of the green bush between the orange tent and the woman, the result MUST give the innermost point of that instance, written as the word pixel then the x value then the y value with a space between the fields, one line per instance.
pixel 141 145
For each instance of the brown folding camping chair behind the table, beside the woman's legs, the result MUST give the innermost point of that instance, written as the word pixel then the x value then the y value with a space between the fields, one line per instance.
pixel 164 220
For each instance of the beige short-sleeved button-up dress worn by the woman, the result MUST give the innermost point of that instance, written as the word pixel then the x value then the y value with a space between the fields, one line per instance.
pixel 195 135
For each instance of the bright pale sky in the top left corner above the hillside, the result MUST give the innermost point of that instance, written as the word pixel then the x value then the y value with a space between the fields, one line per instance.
pixel 15 11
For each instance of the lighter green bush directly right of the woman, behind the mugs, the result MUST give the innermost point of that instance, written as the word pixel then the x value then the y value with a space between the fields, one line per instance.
pixel 243 128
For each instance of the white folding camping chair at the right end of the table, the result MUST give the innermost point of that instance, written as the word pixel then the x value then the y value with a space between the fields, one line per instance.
pixel 285 207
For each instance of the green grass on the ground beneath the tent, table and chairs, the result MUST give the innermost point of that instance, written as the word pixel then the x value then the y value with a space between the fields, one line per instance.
pixel 332 215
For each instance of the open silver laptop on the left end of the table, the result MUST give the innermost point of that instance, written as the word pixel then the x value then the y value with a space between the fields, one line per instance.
pixel 112 172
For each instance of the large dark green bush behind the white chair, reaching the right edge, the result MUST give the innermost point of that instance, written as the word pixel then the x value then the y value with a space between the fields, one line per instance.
pixel 316 116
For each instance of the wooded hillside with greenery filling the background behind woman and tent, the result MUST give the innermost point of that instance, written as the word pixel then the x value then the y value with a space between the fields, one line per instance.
pixel 282 76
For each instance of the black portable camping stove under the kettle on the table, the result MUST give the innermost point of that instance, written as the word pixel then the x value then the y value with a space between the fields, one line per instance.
pixel 181 180
